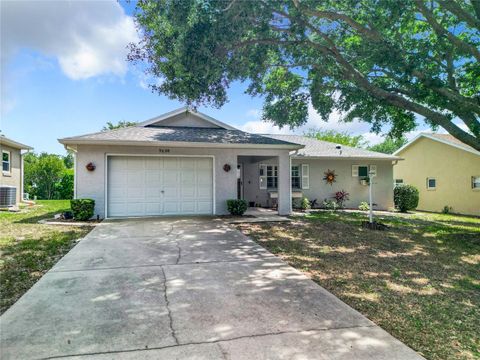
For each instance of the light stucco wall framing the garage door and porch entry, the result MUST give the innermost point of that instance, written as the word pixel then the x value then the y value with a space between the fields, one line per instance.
pixel 92 184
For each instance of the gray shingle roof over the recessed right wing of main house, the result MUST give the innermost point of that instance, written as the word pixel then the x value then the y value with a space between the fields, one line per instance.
pixel 323 149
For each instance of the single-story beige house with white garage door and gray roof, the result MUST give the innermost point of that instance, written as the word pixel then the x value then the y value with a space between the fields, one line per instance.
pixel 185 162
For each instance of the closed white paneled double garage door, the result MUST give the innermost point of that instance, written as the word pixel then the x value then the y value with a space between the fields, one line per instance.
pixel 150 185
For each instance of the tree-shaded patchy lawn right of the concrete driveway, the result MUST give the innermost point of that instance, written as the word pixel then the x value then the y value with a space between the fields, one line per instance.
pixel 419 279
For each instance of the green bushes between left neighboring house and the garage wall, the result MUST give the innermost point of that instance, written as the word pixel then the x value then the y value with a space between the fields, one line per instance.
pixel 43 174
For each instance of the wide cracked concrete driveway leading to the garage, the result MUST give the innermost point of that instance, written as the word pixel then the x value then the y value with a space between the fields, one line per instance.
pixel 184 289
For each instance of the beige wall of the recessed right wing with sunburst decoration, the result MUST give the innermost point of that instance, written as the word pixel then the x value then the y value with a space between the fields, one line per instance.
pixel 320 190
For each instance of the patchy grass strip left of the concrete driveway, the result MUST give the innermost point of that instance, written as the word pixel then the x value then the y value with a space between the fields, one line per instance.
pixel 29 249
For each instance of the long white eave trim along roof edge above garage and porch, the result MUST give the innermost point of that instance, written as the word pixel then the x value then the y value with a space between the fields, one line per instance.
pixel 184 144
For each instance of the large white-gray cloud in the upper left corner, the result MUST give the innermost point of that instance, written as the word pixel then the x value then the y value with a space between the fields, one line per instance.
pixel 88 38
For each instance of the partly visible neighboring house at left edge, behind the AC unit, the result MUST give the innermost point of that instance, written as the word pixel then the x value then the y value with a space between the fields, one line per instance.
pixel 11 178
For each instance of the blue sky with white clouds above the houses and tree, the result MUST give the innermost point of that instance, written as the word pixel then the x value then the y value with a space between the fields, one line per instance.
pixel 63 73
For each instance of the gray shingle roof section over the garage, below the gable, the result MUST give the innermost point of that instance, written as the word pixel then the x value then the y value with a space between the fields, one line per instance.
pixel 177 134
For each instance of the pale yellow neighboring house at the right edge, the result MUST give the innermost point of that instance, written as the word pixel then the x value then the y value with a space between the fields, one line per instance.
pixel 445 171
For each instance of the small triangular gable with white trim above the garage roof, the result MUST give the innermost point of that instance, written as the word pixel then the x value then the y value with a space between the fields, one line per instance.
pixel 184 117
